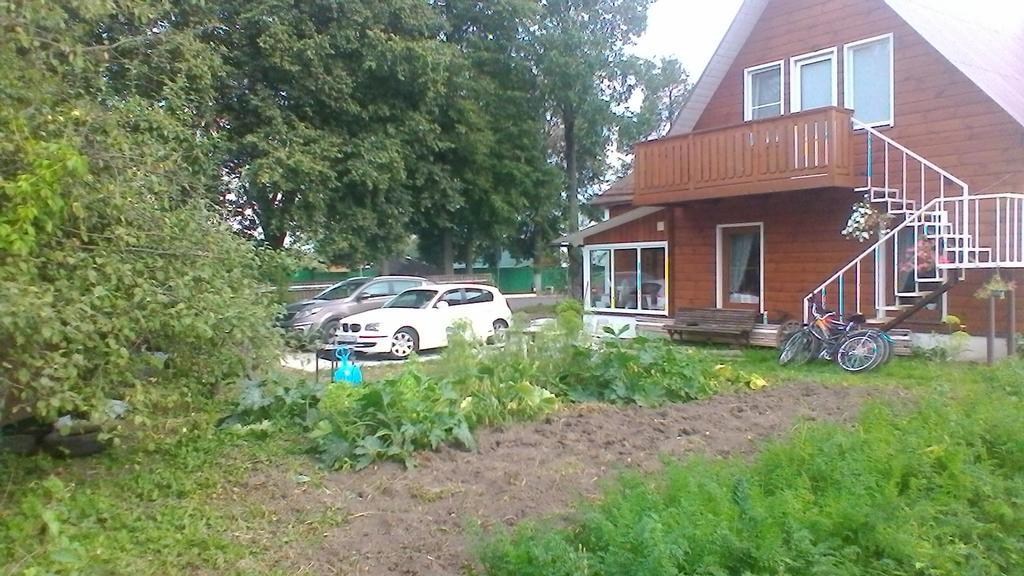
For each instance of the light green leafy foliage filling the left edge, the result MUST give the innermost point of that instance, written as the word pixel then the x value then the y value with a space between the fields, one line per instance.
pixel 111 253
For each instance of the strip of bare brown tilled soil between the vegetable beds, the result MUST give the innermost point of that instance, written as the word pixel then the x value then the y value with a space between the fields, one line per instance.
pixel 398 521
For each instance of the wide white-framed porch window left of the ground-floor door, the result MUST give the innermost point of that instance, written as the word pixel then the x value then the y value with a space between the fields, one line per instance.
pixel 630 277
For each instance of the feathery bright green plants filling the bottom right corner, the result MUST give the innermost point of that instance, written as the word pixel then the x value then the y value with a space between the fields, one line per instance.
pixel 936 491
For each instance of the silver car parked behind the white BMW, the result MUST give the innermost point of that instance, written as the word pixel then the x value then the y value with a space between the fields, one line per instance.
pixel 323 314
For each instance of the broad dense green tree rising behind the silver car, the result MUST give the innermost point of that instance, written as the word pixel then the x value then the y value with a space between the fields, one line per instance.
pixel 331 113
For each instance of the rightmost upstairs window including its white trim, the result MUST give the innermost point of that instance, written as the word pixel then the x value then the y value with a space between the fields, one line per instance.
pixel 869 80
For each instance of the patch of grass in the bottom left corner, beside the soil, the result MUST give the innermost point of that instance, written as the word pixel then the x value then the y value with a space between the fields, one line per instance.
pixel 174 504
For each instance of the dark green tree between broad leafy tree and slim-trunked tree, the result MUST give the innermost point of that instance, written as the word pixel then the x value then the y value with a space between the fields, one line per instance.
pixel 497 159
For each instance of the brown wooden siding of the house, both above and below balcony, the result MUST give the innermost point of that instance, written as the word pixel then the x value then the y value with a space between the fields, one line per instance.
pixel 940 114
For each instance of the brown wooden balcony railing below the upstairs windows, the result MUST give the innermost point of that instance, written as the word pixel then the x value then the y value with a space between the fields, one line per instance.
pixel 797 152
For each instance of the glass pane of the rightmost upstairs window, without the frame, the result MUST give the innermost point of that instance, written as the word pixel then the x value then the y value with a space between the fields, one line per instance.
pixel 872 86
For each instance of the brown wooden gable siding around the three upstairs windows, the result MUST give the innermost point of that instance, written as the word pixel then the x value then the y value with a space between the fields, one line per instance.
pixel 940 112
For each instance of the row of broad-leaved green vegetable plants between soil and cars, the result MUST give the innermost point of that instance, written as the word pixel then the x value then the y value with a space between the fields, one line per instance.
pixel 483 386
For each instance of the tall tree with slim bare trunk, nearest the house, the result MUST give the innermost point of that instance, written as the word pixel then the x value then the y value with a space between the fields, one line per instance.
pixel 581 62
